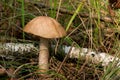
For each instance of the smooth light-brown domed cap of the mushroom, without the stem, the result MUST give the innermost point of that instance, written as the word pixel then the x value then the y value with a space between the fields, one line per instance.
pixel 45 27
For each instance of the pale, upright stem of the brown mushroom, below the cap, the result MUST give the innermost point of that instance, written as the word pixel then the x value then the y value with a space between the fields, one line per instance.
pixel 43 55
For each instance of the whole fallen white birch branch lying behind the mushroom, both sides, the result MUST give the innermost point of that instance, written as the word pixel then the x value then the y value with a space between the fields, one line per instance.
pixel 7 49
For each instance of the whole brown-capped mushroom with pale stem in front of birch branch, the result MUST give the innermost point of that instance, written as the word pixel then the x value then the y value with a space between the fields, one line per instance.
pixel 46 28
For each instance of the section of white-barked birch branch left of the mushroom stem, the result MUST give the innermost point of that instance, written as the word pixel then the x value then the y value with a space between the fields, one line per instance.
pixel 8 50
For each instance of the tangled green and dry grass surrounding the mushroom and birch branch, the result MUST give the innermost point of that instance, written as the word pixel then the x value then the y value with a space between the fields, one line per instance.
pixel 88 24
